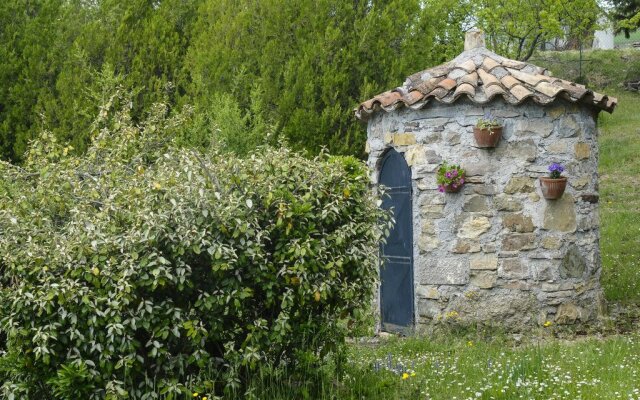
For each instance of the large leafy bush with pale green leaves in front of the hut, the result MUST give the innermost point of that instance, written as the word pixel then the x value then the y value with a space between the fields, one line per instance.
pixel 129 270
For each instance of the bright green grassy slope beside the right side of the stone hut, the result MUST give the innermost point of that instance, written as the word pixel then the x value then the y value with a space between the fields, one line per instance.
pixel 620 199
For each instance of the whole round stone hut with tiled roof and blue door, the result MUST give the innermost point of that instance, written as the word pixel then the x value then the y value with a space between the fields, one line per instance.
pixel 497 251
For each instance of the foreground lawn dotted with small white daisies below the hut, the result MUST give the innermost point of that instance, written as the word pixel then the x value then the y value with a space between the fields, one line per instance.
pixel 461 369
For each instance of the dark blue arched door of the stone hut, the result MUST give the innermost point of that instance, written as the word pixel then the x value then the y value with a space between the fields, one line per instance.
pixel 396 267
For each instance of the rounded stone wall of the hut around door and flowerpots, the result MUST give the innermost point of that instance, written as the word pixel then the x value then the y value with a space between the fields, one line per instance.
pixel 498 251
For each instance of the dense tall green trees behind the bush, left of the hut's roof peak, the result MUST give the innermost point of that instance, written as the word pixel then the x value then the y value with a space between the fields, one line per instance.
pixel 299 67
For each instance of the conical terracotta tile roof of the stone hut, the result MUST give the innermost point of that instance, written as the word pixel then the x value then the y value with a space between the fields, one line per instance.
pixel 481 75
